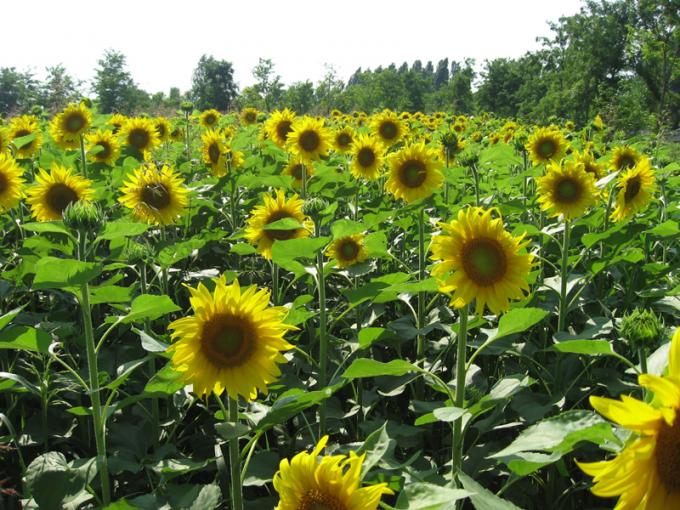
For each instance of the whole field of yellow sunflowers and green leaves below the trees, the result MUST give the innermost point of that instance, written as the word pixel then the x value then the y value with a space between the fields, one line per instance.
pixel 254 310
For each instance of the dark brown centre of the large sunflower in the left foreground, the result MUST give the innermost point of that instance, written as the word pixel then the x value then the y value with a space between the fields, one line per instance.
pixel 227 340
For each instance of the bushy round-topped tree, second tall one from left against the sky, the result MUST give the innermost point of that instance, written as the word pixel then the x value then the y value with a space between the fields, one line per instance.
pixel 213 84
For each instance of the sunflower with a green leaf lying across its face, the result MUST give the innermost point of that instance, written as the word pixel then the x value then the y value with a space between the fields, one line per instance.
pixel 275 209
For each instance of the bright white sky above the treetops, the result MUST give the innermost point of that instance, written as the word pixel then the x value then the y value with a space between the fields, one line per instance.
pixel 164 40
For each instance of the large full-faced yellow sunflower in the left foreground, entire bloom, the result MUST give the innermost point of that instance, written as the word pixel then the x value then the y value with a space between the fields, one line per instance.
pixel 233 341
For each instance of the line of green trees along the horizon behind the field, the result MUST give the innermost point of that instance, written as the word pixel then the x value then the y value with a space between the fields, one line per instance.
pixel 618 58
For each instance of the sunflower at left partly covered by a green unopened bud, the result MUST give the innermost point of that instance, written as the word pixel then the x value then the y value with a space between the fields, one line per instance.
pixel 54 191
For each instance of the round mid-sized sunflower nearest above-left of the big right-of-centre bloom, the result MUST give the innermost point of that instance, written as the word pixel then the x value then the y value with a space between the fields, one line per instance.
pixel 414 172
